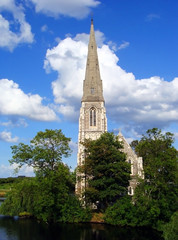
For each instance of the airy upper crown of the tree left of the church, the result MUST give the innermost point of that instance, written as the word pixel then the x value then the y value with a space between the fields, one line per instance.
pixel 44 152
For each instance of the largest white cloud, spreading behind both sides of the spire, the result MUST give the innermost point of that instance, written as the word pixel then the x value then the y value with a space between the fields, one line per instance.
pixel 141 102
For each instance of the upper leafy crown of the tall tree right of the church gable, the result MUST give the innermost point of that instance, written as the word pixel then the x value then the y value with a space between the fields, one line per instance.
pixel 159 156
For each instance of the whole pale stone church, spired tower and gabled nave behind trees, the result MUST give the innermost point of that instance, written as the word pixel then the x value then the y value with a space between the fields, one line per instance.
pixel 93 121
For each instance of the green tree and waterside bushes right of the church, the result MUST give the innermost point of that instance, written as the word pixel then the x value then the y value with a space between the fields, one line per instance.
pixel 155 198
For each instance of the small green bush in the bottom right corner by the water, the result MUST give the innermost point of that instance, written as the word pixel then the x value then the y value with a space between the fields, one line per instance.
pixel 170 230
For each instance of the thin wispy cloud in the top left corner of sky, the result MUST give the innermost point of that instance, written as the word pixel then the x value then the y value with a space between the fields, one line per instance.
pixel 8 38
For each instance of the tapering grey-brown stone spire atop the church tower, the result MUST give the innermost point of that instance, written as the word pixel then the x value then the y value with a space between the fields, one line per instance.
pixel 92 85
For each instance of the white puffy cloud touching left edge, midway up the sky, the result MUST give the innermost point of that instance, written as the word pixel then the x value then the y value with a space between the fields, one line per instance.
pixel 15 102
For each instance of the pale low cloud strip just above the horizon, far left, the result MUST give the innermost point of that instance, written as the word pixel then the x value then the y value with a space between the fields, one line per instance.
pixel 9 171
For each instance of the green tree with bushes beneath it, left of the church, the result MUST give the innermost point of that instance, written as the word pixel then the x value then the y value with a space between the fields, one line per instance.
pixel 48 196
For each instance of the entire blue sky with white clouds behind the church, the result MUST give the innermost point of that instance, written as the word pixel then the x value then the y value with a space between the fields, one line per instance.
pixel 43 49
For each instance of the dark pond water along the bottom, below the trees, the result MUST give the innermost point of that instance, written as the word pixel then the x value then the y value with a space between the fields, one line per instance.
pixel 28 229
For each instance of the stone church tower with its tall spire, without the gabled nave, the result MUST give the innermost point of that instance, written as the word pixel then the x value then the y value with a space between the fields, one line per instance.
pixel 92 120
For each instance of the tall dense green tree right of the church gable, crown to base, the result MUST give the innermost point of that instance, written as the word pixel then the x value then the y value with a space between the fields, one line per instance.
pixel 156 194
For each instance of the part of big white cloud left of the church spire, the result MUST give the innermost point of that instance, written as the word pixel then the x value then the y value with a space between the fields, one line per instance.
pixel 68 58
